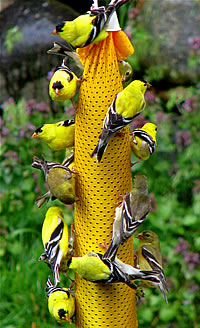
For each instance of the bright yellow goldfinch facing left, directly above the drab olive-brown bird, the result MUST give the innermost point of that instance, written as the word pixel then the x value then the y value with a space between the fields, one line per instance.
pixel 58 136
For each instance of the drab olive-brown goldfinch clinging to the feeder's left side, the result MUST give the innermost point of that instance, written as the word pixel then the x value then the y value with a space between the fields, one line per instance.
pixel 60 180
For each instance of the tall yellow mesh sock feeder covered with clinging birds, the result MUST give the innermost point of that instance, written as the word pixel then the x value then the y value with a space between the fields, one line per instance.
pixel 99 186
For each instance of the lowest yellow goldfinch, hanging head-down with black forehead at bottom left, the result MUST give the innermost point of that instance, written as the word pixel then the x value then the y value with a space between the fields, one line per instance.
pixel 61 303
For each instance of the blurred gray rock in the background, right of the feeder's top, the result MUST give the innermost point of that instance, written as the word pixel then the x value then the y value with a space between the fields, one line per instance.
pixel 167 53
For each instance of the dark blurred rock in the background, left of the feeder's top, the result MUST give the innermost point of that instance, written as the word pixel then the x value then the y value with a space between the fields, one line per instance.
pixel 23 53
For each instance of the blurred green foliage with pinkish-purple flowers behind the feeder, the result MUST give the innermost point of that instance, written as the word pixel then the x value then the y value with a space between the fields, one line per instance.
pixel 173 174
